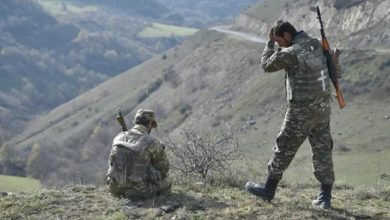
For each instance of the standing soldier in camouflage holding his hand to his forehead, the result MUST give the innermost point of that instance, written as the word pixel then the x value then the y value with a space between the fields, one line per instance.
pixel 308 110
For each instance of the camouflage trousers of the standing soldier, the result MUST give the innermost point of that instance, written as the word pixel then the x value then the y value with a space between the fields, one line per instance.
pixel 305 119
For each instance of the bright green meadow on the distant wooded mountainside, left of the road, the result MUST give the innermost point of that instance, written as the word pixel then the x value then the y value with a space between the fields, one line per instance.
pixel 163 30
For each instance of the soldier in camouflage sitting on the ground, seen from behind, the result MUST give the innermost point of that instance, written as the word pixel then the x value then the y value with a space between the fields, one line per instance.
pixel 138 165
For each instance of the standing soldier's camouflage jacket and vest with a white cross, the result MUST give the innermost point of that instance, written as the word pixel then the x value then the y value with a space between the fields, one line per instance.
pixel 305 66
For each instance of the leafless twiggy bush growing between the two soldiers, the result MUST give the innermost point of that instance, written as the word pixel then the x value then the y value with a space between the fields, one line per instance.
pixel 202 154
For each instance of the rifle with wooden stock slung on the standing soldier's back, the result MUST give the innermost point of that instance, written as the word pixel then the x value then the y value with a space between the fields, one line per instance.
pixel 330 63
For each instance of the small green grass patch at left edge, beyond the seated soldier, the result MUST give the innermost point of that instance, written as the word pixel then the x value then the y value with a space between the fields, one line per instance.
pixel 17 184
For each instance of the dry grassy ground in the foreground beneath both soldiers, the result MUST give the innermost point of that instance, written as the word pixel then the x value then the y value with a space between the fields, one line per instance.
pixel 189 202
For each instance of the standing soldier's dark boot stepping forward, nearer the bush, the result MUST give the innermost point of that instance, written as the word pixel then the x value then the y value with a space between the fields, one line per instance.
pixel 265 191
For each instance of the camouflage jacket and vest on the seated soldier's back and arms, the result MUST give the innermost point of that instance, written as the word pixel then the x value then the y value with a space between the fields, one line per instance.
pixel 143 157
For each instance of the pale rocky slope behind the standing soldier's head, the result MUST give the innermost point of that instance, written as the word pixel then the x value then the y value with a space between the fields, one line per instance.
pixel 359 24
